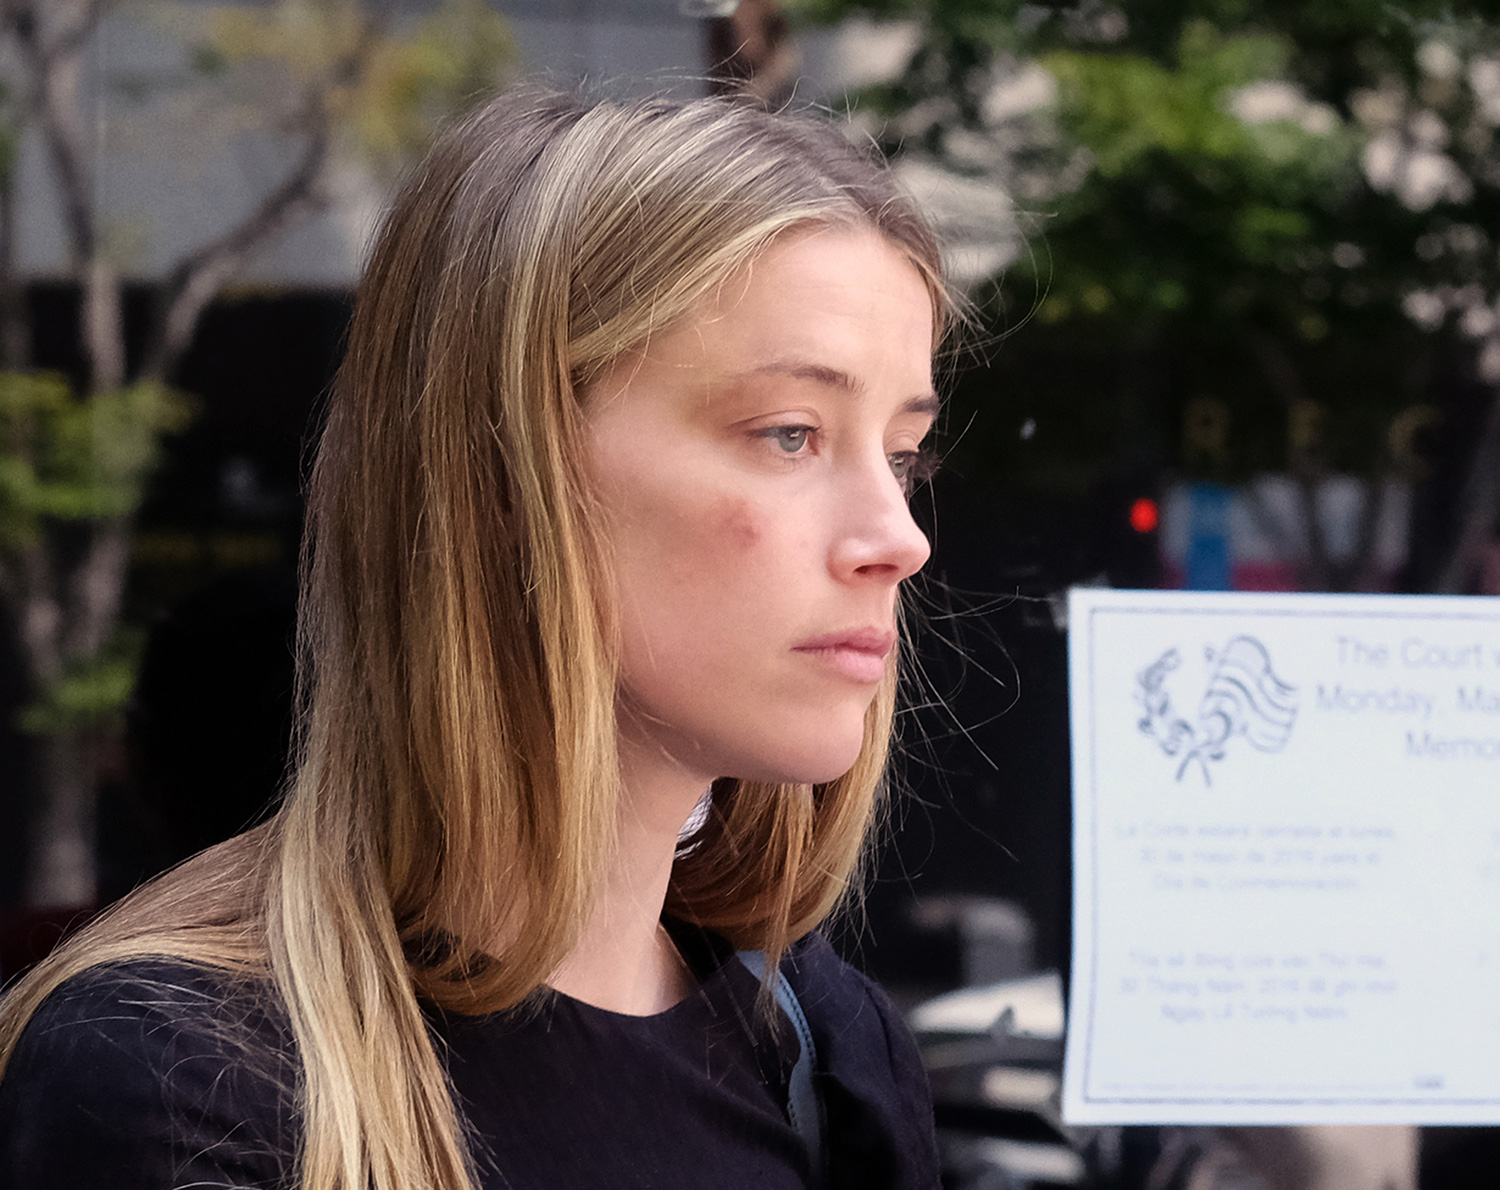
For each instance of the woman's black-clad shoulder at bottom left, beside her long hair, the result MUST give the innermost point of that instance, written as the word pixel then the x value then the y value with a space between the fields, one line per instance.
pixel 151 1072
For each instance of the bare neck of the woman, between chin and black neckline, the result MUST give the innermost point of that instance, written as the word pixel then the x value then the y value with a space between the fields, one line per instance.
pixel 625 960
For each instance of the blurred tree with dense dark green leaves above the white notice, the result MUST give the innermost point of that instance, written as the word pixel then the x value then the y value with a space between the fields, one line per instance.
pixel 1267 206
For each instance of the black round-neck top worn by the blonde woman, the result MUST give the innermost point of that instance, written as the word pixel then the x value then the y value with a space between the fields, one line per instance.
pixel 155 1074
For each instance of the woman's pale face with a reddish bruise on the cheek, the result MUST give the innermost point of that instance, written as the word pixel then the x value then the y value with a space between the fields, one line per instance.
pixel 755 467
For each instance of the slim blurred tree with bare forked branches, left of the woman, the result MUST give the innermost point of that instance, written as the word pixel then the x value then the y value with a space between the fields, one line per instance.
pixel 328 79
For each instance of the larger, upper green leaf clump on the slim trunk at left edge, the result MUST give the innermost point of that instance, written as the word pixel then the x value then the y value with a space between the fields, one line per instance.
pixel 65 458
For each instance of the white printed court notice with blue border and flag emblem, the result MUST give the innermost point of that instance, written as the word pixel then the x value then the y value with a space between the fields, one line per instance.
pixel 1286 859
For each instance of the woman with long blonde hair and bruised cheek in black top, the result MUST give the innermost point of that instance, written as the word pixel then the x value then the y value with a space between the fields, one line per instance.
pixel 611 503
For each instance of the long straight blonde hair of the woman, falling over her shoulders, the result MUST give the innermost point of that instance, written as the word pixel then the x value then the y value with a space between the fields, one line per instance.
pixel 457 777
